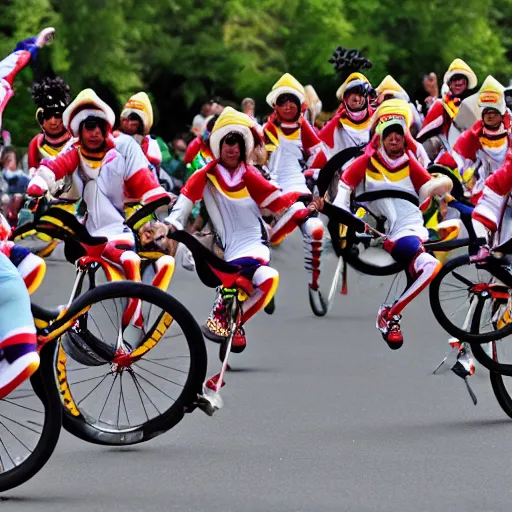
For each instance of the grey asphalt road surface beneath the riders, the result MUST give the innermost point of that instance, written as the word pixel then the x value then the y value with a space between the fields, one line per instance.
pixel 320 415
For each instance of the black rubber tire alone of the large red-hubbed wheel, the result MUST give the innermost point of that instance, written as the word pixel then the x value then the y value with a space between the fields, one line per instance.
pixel 80 427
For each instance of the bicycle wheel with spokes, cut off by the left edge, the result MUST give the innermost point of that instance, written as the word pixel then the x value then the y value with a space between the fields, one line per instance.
pixel 30 424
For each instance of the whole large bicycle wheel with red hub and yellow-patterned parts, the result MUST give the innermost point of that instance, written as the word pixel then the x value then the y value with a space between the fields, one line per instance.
pixel 128 394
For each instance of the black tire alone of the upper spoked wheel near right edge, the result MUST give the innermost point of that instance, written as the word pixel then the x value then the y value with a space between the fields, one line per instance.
pixel 444 321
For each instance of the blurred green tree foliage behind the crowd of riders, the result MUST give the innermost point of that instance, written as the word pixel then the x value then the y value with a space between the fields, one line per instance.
pixel 185 51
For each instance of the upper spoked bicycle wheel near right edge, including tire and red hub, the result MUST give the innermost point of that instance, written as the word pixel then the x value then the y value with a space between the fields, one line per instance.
pixel 456 292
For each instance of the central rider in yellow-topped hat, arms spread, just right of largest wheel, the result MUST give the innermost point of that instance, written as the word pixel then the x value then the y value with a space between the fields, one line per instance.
pixel 233 192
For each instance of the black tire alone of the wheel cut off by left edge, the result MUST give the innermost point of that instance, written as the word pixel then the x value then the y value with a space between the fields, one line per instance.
pixel 43 385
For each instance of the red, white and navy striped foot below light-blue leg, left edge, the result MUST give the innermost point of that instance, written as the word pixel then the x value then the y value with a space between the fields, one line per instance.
pixel 17 364
